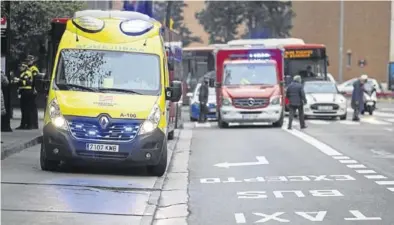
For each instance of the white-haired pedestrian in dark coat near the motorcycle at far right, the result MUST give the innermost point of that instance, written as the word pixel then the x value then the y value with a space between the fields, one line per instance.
pixel 357 102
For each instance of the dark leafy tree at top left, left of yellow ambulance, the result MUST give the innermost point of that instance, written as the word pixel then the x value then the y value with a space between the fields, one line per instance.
pixel 30 23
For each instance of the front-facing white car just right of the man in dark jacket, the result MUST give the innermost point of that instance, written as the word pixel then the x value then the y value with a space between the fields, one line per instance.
pixel 324 100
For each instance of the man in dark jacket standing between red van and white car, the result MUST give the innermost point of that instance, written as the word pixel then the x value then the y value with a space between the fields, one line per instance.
pixel 296 95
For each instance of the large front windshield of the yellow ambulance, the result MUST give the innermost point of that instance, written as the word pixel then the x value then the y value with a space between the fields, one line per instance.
pixel 108 71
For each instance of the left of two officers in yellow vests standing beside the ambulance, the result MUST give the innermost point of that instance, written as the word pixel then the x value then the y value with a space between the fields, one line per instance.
pixel 25 82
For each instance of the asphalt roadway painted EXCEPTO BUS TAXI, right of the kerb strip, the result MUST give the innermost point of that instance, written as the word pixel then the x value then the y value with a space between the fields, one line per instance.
pixel 334 172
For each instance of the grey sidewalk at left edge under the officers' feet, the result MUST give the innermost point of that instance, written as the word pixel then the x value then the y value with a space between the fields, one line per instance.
pixel 16 141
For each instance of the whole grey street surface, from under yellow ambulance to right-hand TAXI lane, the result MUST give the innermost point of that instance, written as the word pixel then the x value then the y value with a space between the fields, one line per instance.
pixel 334 172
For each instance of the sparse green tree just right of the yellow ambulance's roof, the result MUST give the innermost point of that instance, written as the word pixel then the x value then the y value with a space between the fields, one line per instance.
pixel 177 16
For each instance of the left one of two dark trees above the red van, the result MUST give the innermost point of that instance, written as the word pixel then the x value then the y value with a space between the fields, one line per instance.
pixel 221 19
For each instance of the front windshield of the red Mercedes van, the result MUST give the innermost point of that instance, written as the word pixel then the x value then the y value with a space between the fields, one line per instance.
pixel 247 74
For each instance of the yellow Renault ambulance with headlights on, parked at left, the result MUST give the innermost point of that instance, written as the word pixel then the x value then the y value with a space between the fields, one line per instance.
pixel 109 93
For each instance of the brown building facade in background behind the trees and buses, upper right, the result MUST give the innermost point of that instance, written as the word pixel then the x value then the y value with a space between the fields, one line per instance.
pixel 366 40
